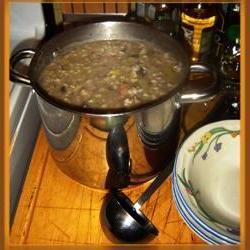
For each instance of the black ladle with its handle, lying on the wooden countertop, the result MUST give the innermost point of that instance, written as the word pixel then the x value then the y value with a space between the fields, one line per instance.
pixel 124 219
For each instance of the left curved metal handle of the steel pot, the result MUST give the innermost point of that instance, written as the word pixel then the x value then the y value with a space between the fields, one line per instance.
pixel 16 76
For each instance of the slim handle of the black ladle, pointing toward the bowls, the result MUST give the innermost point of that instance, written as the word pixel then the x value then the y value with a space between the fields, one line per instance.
pixel 154 186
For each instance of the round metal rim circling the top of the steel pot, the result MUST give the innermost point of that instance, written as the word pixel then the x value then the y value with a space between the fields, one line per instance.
pixel 109 111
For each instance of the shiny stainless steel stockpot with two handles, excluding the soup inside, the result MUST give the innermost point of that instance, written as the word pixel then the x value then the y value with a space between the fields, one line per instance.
pixel 111 148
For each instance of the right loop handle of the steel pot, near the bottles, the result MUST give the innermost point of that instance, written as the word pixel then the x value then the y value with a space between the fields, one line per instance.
pixel 198 89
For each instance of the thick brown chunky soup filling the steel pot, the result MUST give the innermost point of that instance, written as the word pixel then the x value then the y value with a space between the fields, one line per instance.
pixel 110 74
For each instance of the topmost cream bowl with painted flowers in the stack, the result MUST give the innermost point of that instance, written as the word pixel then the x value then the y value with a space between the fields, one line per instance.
pixel 206 174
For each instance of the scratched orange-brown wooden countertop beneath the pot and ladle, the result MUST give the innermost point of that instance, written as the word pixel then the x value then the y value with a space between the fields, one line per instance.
pixel 54 209
